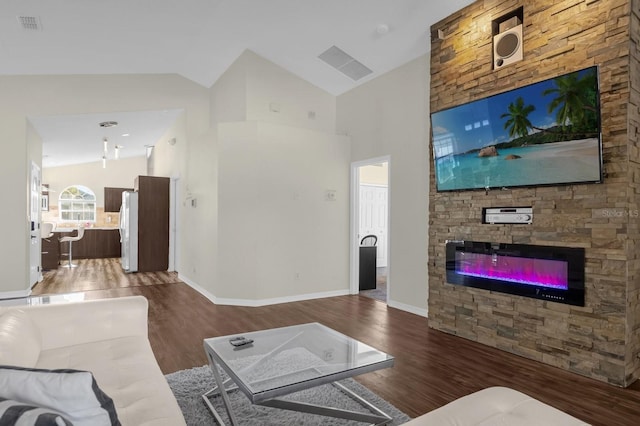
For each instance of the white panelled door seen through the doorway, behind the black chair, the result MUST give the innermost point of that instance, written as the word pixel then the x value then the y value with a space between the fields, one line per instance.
pixel 373 217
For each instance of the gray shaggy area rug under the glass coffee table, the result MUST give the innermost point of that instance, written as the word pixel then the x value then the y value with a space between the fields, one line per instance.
pixel 189 385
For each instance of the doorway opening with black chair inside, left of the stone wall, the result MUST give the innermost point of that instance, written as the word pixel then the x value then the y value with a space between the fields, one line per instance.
pixel 370 268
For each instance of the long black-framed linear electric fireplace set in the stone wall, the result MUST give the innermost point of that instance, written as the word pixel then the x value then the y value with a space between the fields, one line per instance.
pixel 542 272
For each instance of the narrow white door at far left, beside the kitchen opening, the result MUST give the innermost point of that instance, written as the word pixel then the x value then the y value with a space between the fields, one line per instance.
pixel 35 207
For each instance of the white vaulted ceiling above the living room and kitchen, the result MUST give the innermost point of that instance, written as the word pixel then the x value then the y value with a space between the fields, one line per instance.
pixel 200 39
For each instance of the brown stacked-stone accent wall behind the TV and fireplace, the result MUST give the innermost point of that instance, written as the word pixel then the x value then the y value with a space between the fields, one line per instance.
pixel 599 340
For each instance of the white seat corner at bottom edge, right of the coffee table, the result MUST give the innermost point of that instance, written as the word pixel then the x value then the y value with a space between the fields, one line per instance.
pixel 496 406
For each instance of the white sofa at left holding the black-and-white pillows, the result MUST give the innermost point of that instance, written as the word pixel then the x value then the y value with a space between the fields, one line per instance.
pixel 107 337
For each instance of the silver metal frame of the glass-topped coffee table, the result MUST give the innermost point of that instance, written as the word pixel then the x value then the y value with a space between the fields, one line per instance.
pixel 270 397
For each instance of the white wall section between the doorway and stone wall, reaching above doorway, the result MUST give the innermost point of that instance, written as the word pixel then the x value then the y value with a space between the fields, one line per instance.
pixel 390 116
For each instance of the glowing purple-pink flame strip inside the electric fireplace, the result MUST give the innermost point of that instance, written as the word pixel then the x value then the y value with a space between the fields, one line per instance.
pixel 521 270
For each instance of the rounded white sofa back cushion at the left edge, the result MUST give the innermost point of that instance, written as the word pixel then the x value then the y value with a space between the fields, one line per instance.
pixel 21 340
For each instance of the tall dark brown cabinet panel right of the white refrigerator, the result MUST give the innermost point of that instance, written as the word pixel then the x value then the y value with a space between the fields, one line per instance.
pixel 153 223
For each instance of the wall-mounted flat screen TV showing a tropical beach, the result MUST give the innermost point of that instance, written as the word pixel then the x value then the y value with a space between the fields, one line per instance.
pixel 546 133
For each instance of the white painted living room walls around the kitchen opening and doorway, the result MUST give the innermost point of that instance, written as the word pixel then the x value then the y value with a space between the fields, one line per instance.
pixel 274 186
